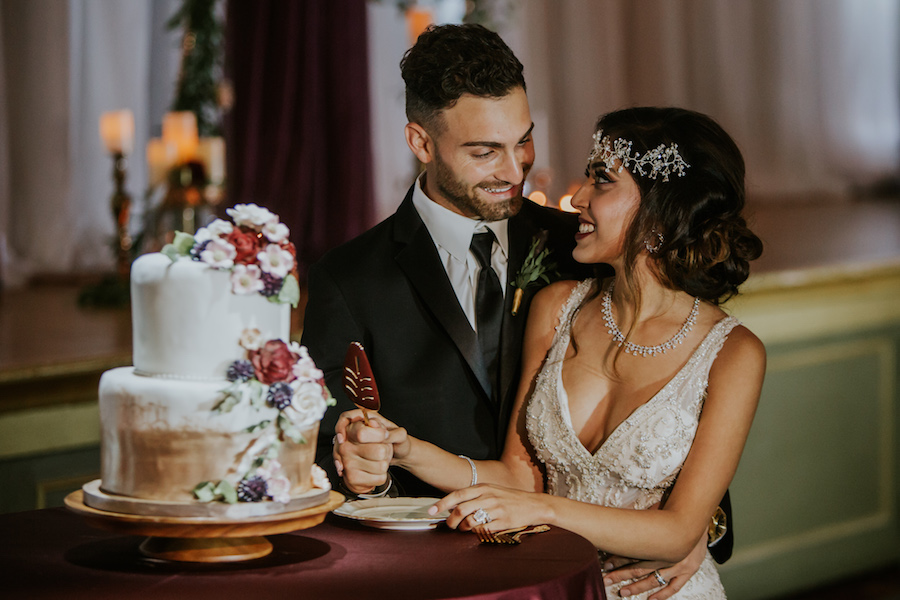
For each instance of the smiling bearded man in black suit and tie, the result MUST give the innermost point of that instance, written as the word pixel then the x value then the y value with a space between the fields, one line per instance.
pixel 408 289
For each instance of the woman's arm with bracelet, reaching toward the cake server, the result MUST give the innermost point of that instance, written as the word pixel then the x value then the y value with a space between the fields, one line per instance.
pixel 516 469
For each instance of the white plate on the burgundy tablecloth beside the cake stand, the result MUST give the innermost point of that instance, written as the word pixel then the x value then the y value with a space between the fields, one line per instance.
pixel 393 513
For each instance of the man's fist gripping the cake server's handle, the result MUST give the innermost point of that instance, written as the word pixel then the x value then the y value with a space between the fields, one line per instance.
pixel 362 454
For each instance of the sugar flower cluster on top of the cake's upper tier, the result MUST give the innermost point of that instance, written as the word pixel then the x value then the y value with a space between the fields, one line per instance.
pixel 255 248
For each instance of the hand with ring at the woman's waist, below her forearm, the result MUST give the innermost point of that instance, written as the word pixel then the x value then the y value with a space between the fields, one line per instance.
pixel 675 575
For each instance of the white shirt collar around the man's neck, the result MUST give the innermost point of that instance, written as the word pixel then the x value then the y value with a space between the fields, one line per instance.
pixel 453 231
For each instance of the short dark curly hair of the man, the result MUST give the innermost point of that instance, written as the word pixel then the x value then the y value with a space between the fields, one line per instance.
pixel 448 61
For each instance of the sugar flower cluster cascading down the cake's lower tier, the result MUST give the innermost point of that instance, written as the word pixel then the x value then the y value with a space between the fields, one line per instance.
pixel 273 375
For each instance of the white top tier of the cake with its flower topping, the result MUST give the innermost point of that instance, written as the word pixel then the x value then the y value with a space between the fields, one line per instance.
pixel 192 302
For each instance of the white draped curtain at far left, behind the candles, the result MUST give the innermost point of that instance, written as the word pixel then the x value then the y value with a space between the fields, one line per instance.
pixel 65 63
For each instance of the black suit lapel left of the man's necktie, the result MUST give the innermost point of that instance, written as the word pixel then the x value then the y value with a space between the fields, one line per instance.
pixel 419 260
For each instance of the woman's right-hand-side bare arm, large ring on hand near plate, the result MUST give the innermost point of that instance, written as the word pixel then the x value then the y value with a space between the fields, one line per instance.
pixel 670 533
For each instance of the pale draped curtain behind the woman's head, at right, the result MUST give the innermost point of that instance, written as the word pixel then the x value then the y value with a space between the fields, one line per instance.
pixel 808 88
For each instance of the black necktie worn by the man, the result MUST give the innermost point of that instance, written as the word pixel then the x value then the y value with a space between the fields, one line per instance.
pixel 488 305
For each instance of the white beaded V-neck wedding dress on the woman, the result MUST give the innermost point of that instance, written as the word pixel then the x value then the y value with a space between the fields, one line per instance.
pixel 641 458
